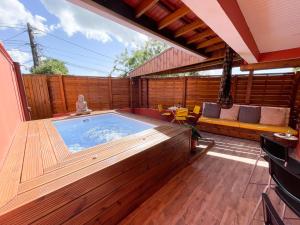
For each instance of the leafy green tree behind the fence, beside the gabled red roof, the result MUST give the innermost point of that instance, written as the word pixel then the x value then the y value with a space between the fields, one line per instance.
pixel 128 61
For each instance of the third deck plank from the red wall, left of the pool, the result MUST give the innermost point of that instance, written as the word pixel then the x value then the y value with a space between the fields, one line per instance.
pixel 48 155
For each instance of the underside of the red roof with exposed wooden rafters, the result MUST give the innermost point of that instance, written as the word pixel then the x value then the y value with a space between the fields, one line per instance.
pixel 171 20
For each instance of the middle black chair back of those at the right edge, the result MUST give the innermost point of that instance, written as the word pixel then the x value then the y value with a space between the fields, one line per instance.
pixel 288 182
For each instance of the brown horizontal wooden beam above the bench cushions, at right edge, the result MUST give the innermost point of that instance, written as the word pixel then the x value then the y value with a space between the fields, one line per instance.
pixel 271 65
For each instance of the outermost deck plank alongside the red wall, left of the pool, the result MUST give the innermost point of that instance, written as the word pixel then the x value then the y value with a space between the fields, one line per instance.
pixel 11 171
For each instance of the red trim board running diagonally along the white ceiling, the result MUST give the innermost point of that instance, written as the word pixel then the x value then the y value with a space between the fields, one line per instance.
pixel 234 13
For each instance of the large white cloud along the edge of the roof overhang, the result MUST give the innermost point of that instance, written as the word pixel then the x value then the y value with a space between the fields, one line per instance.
pixel 74 19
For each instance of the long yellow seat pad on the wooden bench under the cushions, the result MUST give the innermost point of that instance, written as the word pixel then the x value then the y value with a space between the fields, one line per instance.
pixel 251 126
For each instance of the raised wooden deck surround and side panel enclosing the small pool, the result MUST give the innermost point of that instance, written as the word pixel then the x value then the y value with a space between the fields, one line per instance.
pixel 42 182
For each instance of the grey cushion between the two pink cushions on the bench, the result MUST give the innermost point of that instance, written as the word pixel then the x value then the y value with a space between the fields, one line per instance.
pixel 249 114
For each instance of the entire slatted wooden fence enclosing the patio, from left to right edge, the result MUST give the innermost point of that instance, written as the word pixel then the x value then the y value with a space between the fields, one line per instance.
pixel 48 95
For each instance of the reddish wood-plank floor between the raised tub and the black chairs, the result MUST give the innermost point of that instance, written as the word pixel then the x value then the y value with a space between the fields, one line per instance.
pixel 209 191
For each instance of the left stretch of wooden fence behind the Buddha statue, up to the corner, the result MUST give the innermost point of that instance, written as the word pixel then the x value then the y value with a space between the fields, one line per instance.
pixel 55 94
